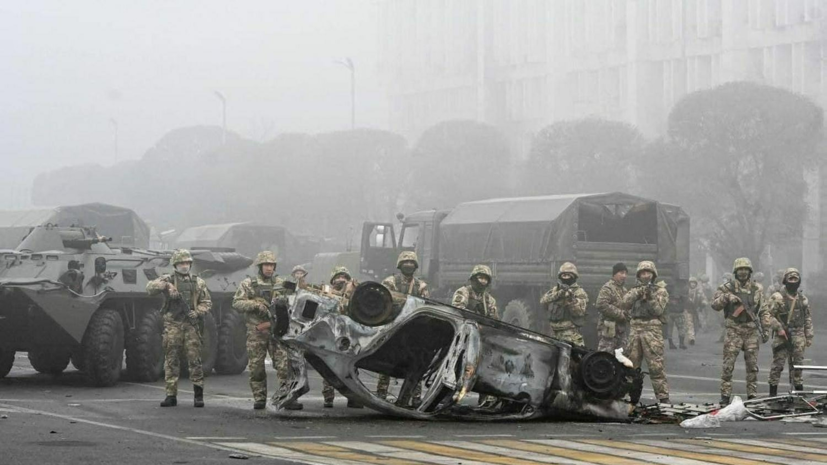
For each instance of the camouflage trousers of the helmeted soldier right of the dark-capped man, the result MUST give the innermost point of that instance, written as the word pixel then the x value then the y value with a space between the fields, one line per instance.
pixel 646 343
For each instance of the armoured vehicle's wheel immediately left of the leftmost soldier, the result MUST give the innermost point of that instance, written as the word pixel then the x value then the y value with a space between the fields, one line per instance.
pixel 144 348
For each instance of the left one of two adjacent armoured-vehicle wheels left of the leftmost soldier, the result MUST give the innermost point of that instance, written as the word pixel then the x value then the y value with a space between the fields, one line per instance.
pixel 103 345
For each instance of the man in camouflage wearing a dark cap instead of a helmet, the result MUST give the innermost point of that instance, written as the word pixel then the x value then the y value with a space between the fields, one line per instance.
pixel 613 325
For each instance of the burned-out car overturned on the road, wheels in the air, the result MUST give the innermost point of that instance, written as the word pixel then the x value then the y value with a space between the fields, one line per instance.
pixel 450 351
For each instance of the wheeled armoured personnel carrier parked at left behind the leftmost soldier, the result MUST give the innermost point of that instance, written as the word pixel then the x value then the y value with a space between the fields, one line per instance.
pixel 65 294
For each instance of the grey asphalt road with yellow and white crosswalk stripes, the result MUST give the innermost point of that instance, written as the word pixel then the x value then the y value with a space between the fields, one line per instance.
pixel 45 419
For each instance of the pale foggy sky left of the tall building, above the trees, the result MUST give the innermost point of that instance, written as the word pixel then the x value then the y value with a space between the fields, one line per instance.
pixel 68 68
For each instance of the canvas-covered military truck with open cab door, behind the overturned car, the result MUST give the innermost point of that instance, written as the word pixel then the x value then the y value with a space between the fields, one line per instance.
pixel 526 239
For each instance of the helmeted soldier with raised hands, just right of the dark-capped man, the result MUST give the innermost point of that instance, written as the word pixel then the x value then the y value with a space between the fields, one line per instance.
pixel 647 303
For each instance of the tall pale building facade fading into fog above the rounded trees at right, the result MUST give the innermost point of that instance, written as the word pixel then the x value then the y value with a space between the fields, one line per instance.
pixel 523 64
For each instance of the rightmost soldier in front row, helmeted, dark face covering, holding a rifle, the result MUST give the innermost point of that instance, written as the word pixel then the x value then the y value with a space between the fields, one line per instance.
pixel 792 324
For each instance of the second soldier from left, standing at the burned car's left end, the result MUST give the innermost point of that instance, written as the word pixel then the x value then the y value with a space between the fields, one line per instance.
pixel 253 298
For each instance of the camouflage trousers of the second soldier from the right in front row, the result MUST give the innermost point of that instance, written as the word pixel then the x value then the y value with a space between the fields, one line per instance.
pixel 740 337
